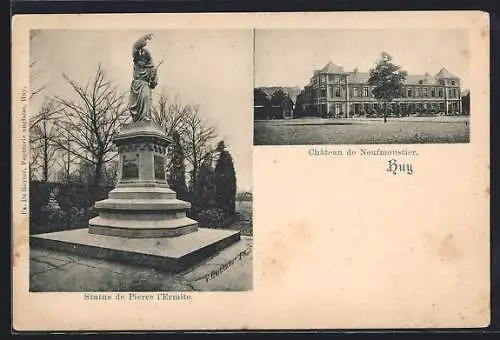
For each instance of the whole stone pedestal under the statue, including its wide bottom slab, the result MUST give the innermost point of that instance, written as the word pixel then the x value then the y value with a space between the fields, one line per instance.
pixel 142 221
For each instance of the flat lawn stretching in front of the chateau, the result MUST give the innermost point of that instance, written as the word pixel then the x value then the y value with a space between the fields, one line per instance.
pixel 362 131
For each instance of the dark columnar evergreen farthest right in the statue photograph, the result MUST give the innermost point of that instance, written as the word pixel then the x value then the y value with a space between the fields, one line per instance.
pixel 225 180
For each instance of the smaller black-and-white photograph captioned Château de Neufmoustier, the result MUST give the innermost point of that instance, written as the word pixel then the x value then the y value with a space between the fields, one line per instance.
pixel 370 86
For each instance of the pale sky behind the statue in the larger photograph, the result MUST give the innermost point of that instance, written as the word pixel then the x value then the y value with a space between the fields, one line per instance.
pixel 211 69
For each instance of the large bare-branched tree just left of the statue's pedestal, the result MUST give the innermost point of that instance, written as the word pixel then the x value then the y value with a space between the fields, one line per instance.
pixel 92 120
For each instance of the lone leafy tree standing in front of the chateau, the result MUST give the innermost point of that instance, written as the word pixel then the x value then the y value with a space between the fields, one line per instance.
pixel 388 81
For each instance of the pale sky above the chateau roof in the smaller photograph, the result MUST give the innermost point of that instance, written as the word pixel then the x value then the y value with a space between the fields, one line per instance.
pixel 288 57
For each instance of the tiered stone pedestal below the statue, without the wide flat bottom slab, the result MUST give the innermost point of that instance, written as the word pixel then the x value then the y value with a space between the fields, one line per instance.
pixel 142 204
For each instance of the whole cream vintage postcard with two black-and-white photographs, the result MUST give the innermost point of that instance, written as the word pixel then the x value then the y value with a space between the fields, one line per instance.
pixel 250 171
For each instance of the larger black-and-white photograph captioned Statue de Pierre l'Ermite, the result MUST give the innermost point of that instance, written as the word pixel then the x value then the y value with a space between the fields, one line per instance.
pixel 140 161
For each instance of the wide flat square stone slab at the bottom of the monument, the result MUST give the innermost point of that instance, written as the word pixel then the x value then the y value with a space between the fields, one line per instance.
pixel 170 254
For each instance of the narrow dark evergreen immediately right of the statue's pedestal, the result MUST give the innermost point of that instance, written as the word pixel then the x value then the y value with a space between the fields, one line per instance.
pixel 177 169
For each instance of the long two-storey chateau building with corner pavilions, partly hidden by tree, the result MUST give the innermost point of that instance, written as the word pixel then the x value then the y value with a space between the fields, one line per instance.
pixel 334 91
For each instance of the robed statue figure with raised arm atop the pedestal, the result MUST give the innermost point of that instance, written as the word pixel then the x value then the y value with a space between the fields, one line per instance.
pixel 145 79
